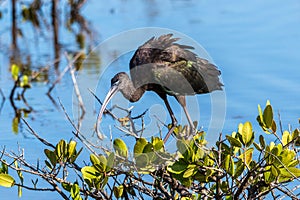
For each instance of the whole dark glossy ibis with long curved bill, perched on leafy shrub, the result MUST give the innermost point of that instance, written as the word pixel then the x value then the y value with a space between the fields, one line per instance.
pixel 167 68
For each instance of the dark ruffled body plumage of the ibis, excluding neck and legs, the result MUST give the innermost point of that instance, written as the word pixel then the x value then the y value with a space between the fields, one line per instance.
pixel 163 63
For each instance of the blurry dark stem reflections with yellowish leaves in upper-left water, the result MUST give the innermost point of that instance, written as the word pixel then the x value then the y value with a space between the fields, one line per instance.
pixel 35 28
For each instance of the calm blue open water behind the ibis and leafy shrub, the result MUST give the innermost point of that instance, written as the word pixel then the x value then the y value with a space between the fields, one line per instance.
pixel 255 44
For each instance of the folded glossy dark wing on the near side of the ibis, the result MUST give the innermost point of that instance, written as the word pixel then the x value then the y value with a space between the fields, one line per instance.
pixel 187 77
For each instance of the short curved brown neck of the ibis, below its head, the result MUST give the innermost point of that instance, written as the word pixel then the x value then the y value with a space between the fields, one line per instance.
pixel 132 93
